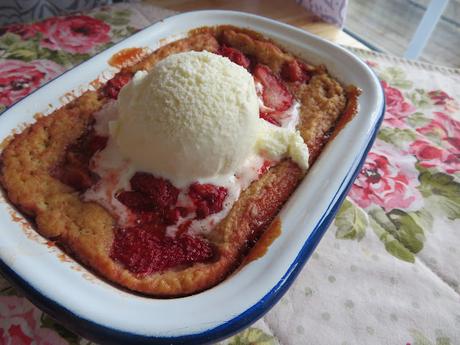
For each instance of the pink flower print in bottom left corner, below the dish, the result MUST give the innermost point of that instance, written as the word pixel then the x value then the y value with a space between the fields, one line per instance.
pixel 20 324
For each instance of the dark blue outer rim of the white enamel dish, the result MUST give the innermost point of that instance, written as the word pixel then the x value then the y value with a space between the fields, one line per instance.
pixel 106 335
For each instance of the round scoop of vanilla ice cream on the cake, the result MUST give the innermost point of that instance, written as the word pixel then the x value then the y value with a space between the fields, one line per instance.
pixel 195 115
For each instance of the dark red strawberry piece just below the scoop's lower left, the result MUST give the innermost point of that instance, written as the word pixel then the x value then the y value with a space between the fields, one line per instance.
pixel 161 191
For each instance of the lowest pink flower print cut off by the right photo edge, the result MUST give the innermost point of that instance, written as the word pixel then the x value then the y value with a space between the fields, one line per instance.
pixel 430 156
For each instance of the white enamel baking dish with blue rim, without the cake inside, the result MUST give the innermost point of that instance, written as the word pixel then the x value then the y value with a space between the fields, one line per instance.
pixel 107 314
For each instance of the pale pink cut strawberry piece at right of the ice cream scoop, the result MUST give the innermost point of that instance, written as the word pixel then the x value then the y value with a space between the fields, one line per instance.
pixel 275 94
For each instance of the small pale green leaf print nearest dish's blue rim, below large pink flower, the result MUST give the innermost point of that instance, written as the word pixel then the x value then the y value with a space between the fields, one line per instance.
pixel 351 222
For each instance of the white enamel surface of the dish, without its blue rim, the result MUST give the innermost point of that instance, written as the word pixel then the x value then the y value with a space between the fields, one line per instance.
pixel 97 301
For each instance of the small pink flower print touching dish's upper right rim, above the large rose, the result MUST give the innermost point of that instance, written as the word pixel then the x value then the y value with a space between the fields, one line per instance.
pixel 397 108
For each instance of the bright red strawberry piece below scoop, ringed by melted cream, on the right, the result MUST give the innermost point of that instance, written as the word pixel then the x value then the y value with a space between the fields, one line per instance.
pixel 207 198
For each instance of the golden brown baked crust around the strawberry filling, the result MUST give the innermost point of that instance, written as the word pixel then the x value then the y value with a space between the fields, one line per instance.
pixel 86 229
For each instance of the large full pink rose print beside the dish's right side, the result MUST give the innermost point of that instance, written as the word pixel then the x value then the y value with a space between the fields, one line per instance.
pixel 387 179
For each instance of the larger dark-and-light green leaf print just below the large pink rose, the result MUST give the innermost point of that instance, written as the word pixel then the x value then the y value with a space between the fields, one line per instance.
pixel 401 232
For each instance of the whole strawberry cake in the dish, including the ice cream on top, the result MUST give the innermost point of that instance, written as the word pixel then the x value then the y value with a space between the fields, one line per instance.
pixel 165 177
